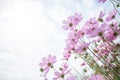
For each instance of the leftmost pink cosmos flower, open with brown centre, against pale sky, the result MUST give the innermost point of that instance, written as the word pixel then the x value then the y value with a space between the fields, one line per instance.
pixel 47 63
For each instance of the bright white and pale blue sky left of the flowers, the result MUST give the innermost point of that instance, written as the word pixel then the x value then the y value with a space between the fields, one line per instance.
pixel 31 29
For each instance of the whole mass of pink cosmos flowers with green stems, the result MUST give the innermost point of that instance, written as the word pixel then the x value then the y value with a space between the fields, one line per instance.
pixel 97 42
